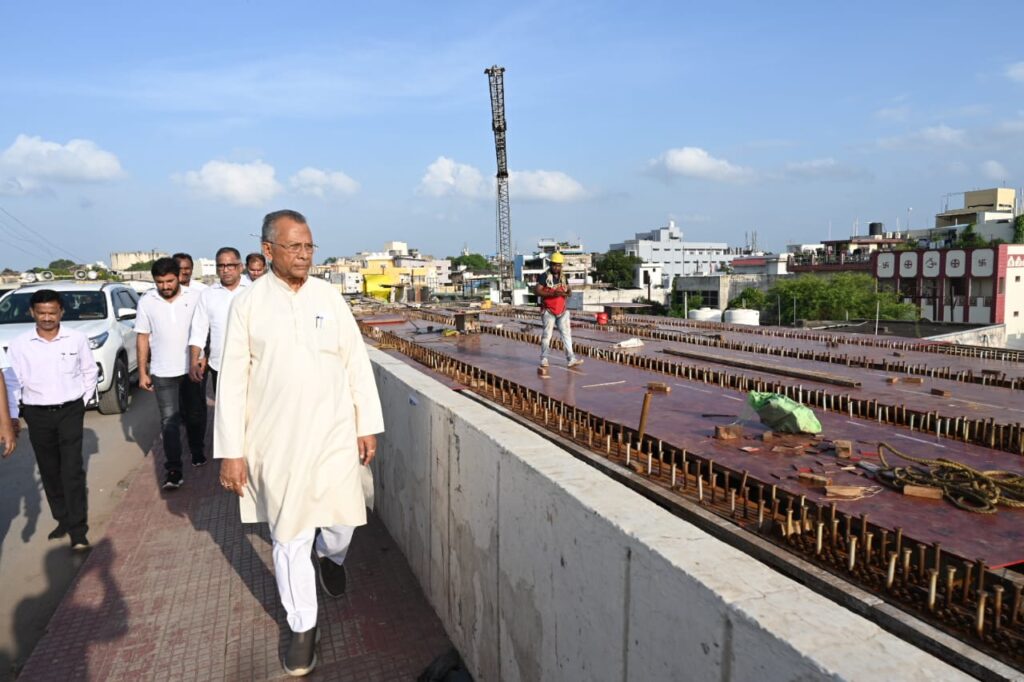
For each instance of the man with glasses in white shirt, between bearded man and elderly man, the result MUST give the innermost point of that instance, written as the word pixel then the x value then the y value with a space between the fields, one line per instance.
pixel 210 319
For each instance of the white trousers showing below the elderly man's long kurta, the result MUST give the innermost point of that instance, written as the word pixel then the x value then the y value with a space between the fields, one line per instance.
pixel 297 577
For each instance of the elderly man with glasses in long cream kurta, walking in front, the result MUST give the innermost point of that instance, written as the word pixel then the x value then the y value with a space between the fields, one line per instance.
pixel 297 408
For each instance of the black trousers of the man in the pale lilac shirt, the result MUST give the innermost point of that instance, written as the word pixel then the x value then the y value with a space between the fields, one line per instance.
pixel 56 434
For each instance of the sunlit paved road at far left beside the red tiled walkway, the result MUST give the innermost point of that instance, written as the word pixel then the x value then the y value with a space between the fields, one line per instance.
pixel 37 572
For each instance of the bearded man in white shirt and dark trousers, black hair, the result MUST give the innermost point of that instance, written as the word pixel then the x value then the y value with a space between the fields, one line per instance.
pixel 162 326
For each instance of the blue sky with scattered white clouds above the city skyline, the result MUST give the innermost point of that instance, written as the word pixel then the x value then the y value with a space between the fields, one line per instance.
pixel 178 126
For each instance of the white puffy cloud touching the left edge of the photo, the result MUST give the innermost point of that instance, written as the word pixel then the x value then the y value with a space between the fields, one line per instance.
pixel 30 163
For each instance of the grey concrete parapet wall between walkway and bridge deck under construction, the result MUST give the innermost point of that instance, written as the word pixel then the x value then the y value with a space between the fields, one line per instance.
pixel 543 569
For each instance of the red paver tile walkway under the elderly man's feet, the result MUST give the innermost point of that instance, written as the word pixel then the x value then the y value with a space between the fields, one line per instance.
pixel 180 590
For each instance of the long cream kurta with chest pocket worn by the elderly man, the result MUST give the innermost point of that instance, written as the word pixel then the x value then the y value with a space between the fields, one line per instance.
pixel 295 390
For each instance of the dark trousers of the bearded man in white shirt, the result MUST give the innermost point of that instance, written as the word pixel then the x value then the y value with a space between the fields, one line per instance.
pixel 180 399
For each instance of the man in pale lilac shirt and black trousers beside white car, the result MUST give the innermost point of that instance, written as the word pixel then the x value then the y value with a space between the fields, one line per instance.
pixel 58 376
